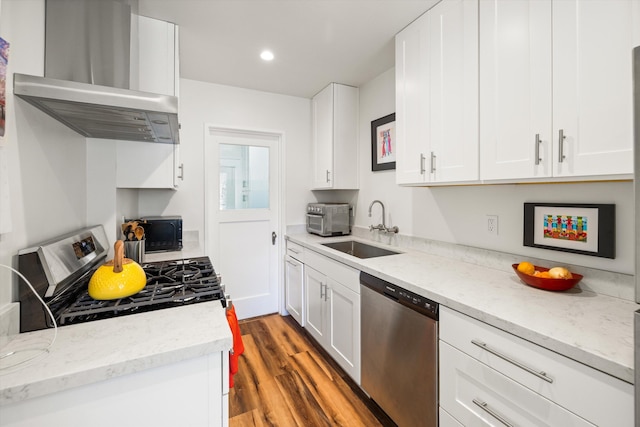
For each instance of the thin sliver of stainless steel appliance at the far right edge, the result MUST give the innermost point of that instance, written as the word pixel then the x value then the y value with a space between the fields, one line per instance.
pixel 636 184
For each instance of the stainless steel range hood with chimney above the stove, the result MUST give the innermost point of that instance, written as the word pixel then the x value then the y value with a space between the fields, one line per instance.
pixel 87 75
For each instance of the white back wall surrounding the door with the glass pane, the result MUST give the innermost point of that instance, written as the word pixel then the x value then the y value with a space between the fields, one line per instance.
pixel 225 106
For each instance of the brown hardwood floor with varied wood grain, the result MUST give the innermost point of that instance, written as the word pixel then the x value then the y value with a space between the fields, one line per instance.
pixel 286 379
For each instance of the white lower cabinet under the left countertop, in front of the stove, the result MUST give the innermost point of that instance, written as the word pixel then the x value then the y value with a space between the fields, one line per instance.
pixel 192 392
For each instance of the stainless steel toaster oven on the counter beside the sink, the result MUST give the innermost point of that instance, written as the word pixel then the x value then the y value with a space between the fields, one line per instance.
pixel 329 219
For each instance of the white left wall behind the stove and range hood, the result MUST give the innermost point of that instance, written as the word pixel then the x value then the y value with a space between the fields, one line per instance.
pixel 45 161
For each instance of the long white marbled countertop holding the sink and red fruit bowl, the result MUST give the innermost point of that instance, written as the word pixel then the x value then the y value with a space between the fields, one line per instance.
pixel 594 329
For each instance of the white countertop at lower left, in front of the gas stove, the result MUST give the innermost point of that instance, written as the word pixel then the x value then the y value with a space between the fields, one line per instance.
pixel 95 351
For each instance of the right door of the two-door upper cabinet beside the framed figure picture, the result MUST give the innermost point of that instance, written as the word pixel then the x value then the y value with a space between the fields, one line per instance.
pixel 453 93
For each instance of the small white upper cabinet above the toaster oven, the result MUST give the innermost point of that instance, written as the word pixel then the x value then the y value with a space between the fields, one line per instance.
pixel 335 138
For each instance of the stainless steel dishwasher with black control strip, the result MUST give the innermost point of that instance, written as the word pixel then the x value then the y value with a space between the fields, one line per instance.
pixel 399 333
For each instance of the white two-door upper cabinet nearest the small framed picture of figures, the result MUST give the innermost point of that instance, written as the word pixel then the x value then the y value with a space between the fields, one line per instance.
pixel 437 96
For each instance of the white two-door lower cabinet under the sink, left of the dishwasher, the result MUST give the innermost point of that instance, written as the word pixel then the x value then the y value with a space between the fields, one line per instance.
pixel 332 310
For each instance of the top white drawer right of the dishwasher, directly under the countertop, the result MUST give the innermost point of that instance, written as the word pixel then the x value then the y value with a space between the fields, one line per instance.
pixel 598 397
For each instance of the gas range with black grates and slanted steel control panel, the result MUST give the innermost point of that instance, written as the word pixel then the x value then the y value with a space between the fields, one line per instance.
pixel 60 269
